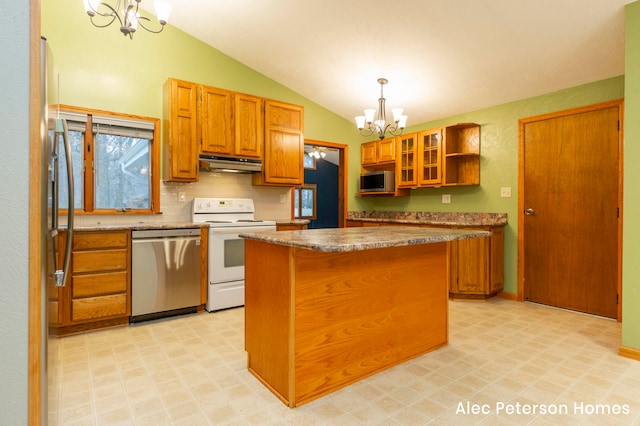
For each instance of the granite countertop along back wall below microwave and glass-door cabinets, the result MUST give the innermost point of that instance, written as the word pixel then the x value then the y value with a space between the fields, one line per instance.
pixel 431 218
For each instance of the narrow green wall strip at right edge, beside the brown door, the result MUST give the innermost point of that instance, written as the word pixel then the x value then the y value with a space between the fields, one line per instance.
pixel 631 218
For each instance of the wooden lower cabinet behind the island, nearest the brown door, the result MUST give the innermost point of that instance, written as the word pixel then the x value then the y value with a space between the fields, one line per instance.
pixel 476 265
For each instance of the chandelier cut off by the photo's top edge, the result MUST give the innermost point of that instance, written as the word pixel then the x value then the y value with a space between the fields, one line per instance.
pixel 130 18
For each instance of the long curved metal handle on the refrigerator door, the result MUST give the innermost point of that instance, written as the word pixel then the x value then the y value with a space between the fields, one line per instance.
pixel 60 275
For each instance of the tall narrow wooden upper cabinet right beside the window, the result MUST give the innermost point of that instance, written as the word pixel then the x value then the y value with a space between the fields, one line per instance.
pixel 180 130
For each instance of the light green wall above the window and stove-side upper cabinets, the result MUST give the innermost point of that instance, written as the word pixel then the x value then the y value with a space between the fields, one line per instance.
pixel 102 69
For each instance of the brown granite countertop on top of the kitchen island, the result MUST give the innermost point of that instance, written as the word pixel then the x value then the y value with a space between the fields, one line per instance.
pixel 355 239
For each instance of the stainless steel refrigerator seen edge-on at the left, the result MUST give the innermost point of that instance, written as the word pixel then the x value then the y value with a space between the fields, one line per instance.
pixel 55 151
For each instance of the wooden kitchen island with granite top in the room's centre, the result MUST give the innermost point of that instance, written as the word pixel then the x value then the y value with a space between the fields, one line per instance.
pixel 327 307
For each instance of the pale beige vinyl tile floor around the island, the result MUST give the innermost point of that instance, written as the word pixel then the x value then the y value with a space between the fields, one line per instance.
pixel 506 363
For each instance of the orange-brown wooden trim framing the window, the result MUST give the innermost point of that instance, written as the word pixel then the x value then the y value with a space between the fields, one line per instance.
pixel 89 175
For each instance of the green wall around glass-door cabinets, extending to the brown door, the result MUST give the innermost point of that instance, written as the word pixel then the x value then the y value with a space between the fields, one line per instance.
pixel 498 164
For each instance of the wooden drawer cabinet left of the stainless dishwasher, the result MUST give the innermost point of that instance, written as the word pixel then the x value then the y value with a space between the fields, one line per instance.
pixel 98 291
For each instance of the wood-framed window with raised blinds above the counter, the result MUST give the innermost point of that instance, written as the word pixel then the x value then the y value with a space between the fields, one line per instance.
pixel 116 161
